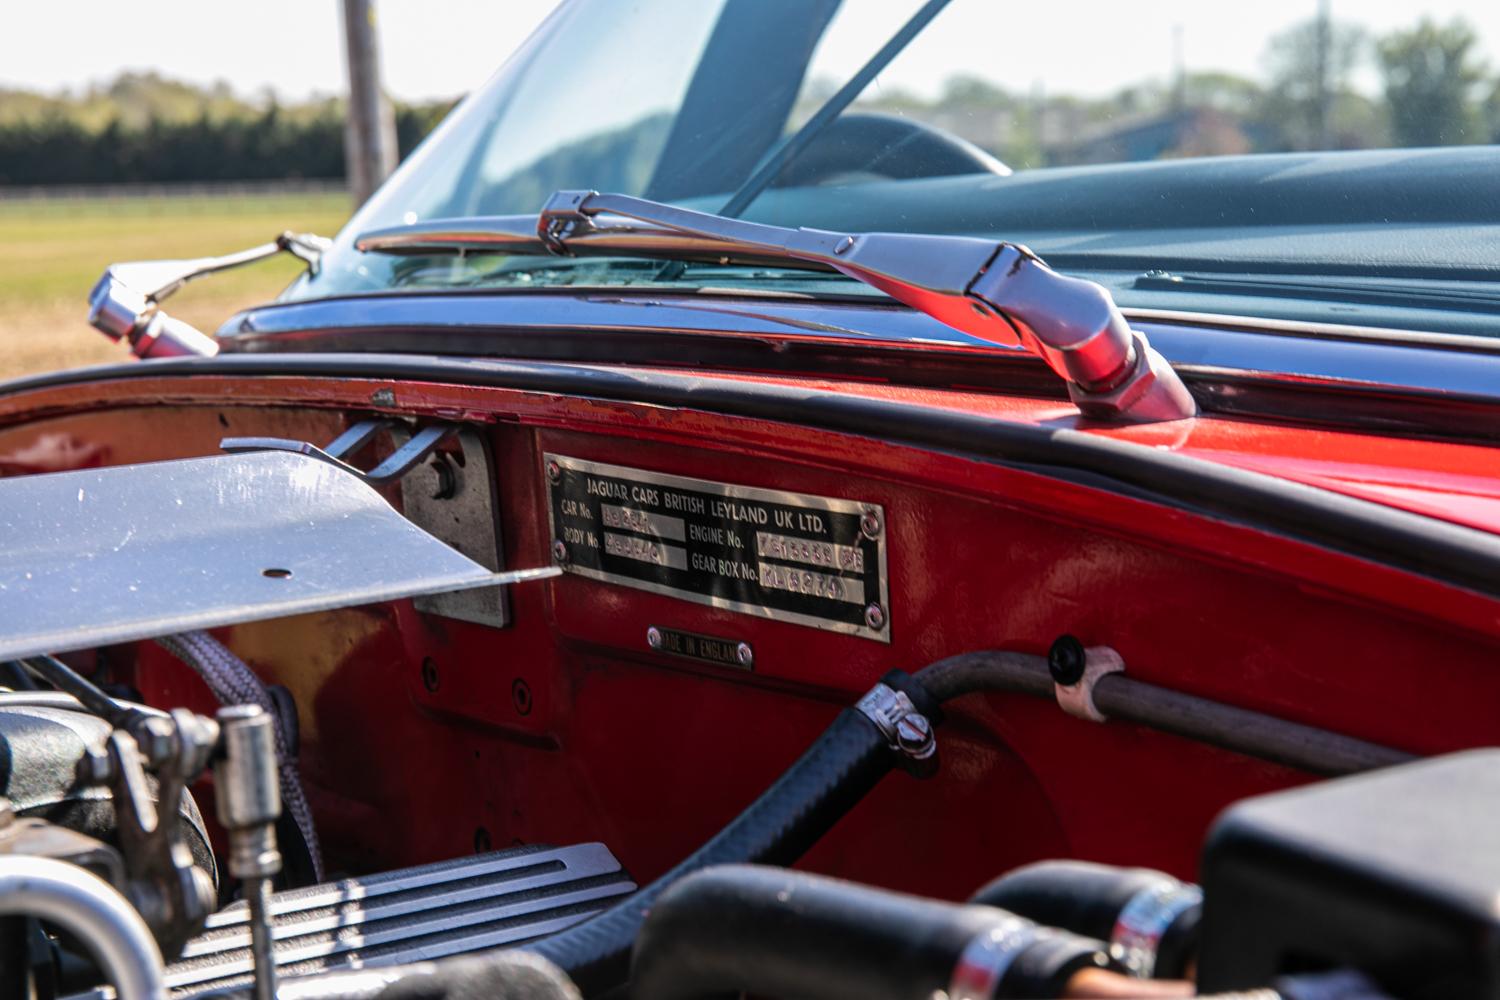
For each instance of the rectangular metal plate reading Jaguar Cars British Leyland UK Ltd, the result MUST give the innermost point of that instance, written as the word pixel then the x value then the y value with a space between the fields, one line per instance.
pixel 790 557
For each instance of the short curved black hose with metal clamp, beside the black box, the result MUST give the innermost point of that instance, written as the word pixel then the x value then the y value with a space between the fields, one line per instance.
pixel 1088 899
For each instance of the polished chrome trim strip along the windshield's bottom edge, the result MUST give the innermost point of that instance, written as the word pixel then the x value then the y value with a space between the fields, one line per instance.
pixel 1202 346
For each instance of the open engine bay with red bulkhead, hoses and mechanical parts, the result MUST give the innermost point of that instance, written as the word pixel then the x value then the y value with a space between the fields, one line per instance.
pixel 730 638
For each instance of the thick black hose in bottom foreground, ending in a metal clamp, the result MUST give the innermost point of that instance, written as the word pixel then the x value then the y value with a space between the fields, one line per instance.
pixel 778 933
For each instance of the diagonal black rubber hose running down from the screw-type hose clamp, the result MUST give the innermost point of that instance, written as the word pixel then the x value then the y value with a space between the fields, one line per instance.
pixel 778 828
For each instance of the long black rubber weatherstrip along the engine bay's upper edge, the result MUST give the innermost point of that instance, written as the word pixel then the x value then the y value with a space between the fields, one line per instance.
pixel 1420 545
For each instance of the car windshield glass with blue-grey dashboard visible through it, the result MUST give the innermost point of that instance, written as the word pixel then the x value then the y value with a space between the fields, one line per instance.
pixel 1175 181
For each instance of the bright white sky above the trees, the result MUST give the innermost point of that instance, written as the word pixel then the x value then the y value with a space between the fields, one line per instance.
pixel 442 49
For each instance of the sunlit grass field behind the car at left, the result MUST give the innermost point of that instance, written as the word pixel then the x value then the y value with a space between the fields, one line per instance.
pixel 52 253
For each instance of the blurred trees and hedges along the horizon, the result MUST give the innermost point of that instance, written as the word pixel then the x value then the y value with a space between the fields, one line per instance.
pixel 1432 88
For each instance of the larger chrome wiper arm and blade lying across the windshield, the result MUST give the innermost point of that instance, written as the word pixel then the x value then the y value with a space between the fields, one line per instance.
pixel 995 292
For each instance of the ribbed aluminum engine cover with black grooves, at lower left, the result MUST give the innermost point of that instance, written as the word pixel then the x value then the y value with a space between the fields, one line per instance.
pixel 410 915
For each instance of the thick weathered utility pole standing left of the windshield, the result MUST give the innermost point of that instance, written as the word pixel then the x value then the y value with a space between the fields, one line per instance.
pixel 370 133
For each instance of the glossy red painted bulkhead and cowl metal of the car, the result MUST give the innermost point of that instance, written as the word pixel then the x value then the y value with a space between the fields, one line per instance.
pixel 653 755
